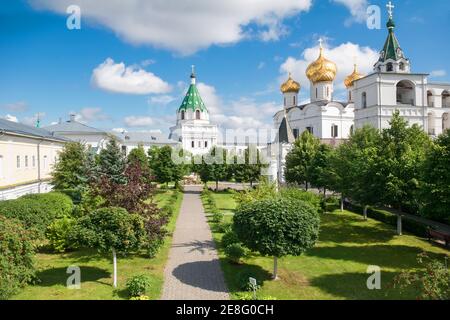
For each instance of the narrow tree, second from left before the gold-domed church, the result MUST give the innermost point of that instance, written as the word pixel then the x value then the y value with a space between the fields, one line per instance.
pixel 321 167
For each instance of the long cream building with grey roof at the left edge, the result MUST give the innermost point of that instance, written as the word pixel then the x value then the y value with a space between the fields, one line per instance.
pixel 27 156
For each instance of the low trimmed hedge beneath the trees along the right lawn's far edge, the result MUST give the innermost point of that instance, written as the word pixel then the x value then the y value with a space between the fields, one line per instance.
pixel 413 227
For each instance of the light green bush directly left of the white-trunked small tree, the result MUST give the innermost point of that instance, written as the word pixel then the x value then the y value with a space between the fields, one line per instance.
pixel 57 233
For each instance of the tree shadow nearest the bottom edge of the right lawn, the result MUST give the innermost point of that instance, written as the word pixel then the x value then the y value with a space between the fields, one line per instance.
pixel 354 286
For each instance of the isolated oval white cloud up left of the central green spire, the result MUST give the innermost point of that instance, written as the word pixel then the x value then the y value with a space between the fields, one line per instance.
pixel 116 77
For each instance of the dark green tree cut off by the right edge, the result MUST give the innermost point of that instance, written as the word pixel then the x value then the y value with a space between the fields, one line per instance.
pixel 435 191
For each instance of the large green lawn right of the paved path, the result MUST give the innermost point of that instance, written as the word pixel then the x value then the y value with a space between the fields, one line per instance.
pixel 336 267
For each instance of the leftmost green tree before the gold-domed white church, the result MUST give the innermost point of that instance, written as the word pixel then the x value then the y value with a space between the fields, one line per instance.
pixel 299 159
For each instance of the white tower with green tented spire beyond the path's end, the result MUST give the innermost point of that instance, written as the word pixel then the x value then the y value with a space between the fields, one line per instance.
pixel 193 129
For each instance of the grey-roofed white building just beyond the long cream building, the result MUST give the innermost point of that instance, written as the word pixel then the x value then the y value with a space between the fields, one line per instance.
pixel 77 131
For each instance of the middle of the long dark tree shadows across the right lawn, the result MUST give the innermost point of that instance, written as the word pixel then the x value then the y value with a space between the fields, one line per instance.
pixel 393 256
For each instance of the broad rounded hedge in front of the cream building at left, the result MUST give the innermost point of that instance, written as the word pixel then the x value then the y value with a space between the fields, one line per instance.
pixel 37 211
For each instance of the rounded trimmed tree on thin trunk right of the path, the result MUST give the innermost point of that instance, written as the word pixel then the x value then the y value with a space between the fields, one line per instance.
pixel 277 227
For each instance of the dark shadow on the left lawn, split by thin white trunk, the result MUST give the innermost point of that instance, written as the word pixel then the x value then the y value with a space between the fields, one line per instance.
pixel 58 276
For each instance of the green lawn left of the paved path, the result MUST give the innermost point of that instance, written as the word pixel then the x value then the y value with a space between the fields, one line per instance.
pixel 96 269
